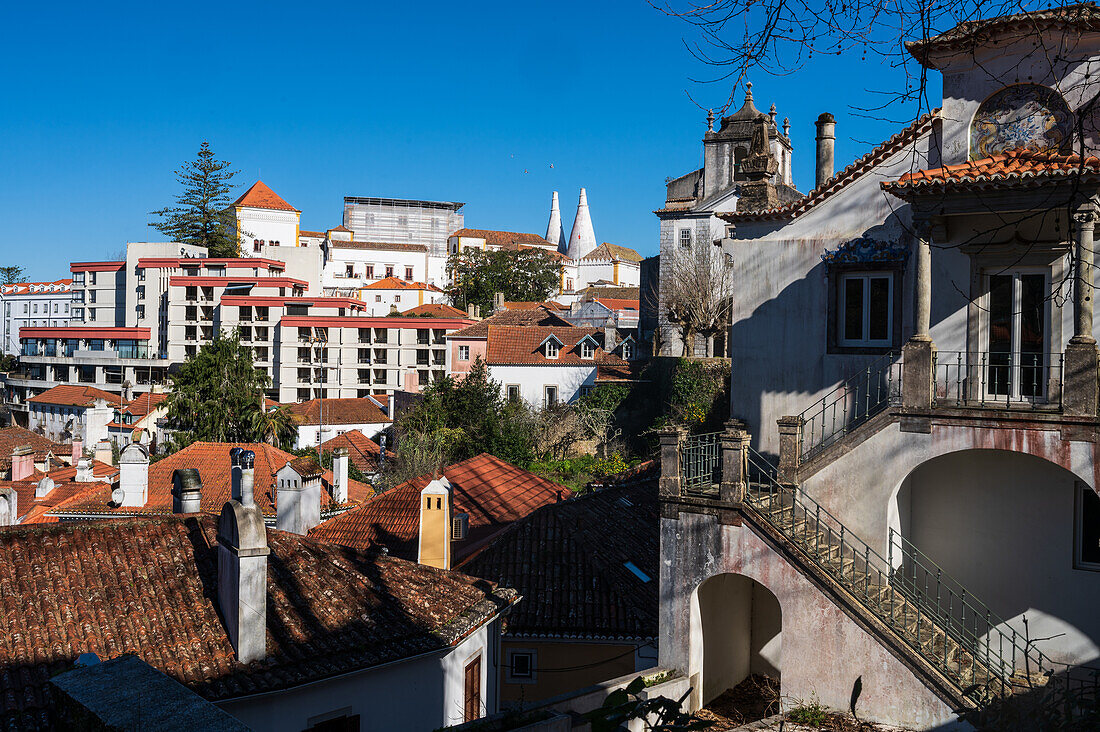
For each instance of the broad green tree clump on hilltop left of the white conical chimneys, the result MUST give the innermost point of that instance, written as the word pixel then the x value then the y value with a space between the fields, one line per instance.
pixel 529 275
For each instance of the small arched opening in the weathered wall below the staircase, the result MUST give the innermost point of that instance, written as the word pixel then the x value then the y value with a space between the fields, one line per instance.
pixel 738 625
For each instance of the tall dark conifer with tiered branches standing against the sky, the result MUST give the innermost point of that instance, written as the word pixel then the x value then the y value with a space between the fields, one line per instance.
pixel 202 214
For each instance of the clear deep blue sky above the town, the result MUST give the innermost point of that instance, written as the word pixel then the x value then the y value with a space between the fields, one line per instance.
pixel 455 102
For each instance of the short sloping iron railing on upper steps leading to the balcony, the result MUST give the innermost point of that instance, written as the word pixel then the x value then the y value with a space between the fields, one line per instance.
pixel 852 403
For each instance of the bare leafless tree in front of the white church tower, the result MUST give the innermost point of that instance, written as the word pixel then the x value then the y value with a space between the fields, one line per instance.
pixel 698 283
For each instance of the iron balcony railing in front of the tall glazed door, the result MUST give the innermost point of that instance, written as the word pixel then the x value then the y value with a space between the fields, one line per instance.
pixel 998 379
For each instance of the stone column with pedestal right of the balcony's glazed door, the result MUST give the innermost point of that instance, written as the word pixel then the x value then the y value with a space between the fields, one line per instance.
pixel 1081 391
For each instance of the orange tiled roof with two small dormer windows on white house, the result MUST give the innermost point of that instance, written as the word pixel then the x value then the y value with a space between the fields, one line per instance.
pixel 521 345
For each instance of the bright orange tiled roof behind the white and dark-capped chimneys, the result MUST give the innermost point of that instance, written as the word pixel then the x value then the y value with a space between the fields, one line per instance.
pixel 212 461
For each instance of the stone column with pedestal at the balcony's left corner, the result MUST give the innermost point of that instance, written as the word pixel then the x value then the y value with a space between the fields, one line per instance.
pixel 918 378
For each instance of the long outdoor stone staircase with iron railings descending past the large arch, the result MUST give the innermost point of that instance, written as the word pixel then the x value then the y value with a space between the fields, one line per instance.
pixel 982 658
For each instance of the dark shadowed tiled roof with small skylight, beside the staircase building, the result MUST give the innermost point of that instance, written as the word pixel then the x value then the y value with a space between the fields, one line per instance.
pixel 569 561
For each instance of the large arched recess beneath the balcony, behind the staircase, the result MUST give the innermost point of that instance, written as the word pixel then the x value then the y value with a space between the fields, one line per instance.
pixel 1019 533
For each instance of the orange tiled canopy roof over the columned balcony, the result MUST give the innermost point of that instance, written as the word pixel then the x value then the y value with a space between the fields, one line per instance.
pixel 1013 168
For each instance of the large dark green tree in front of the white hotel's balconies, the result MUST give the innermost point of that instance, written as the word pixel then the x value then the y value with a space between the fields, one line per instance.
pixel 216 394
